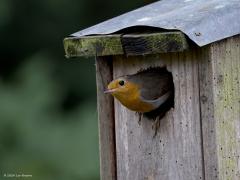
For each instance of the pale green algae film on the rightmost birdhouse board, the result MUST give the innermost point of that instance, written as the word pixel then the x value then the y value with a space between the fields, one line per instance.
pixel 226 114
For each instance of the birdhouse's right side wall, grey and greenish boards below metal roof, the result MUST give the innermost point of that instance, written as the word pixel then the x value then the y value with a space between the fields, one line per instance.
pixel 220 109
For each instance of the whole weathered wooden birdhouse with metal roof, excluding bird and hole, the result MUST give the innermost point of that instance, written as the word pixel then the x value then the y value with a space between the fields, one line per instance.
pixel 198 42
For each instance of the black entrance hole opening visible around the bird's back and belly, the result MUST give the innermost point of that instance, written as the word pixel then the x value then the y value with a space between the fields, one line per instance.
pixel 166 86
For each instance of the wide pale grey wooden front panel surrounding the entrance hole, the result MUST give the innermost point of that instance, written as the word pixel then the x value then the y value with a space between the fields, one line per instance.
pixel 175 153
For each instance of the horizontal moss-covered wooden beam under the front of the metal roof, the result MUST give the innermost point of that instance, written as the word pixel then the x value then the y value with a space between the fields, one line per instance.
pixel 128 44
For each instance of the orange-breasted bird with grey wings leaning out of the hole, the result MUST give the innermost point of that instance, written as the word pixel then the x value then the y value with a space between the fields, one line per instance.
pixel 144 91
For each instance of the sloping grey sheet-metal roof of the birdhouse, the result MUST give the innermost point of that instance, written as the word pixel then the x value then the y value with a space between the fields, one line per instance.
pixel 202 21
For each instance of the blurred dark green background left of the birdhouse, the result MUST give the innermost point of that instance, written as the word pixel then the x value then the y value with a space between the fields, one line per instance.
pixel 48 115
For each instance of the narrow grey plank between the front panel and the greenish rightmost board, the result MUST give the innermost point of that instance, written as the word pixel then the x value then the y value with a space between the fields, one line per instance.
pixel 207 115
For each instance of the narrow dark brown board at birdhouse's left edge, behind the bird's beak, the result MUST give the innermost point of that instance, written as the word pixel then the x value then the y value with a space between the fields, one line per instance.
pixel 106 120
